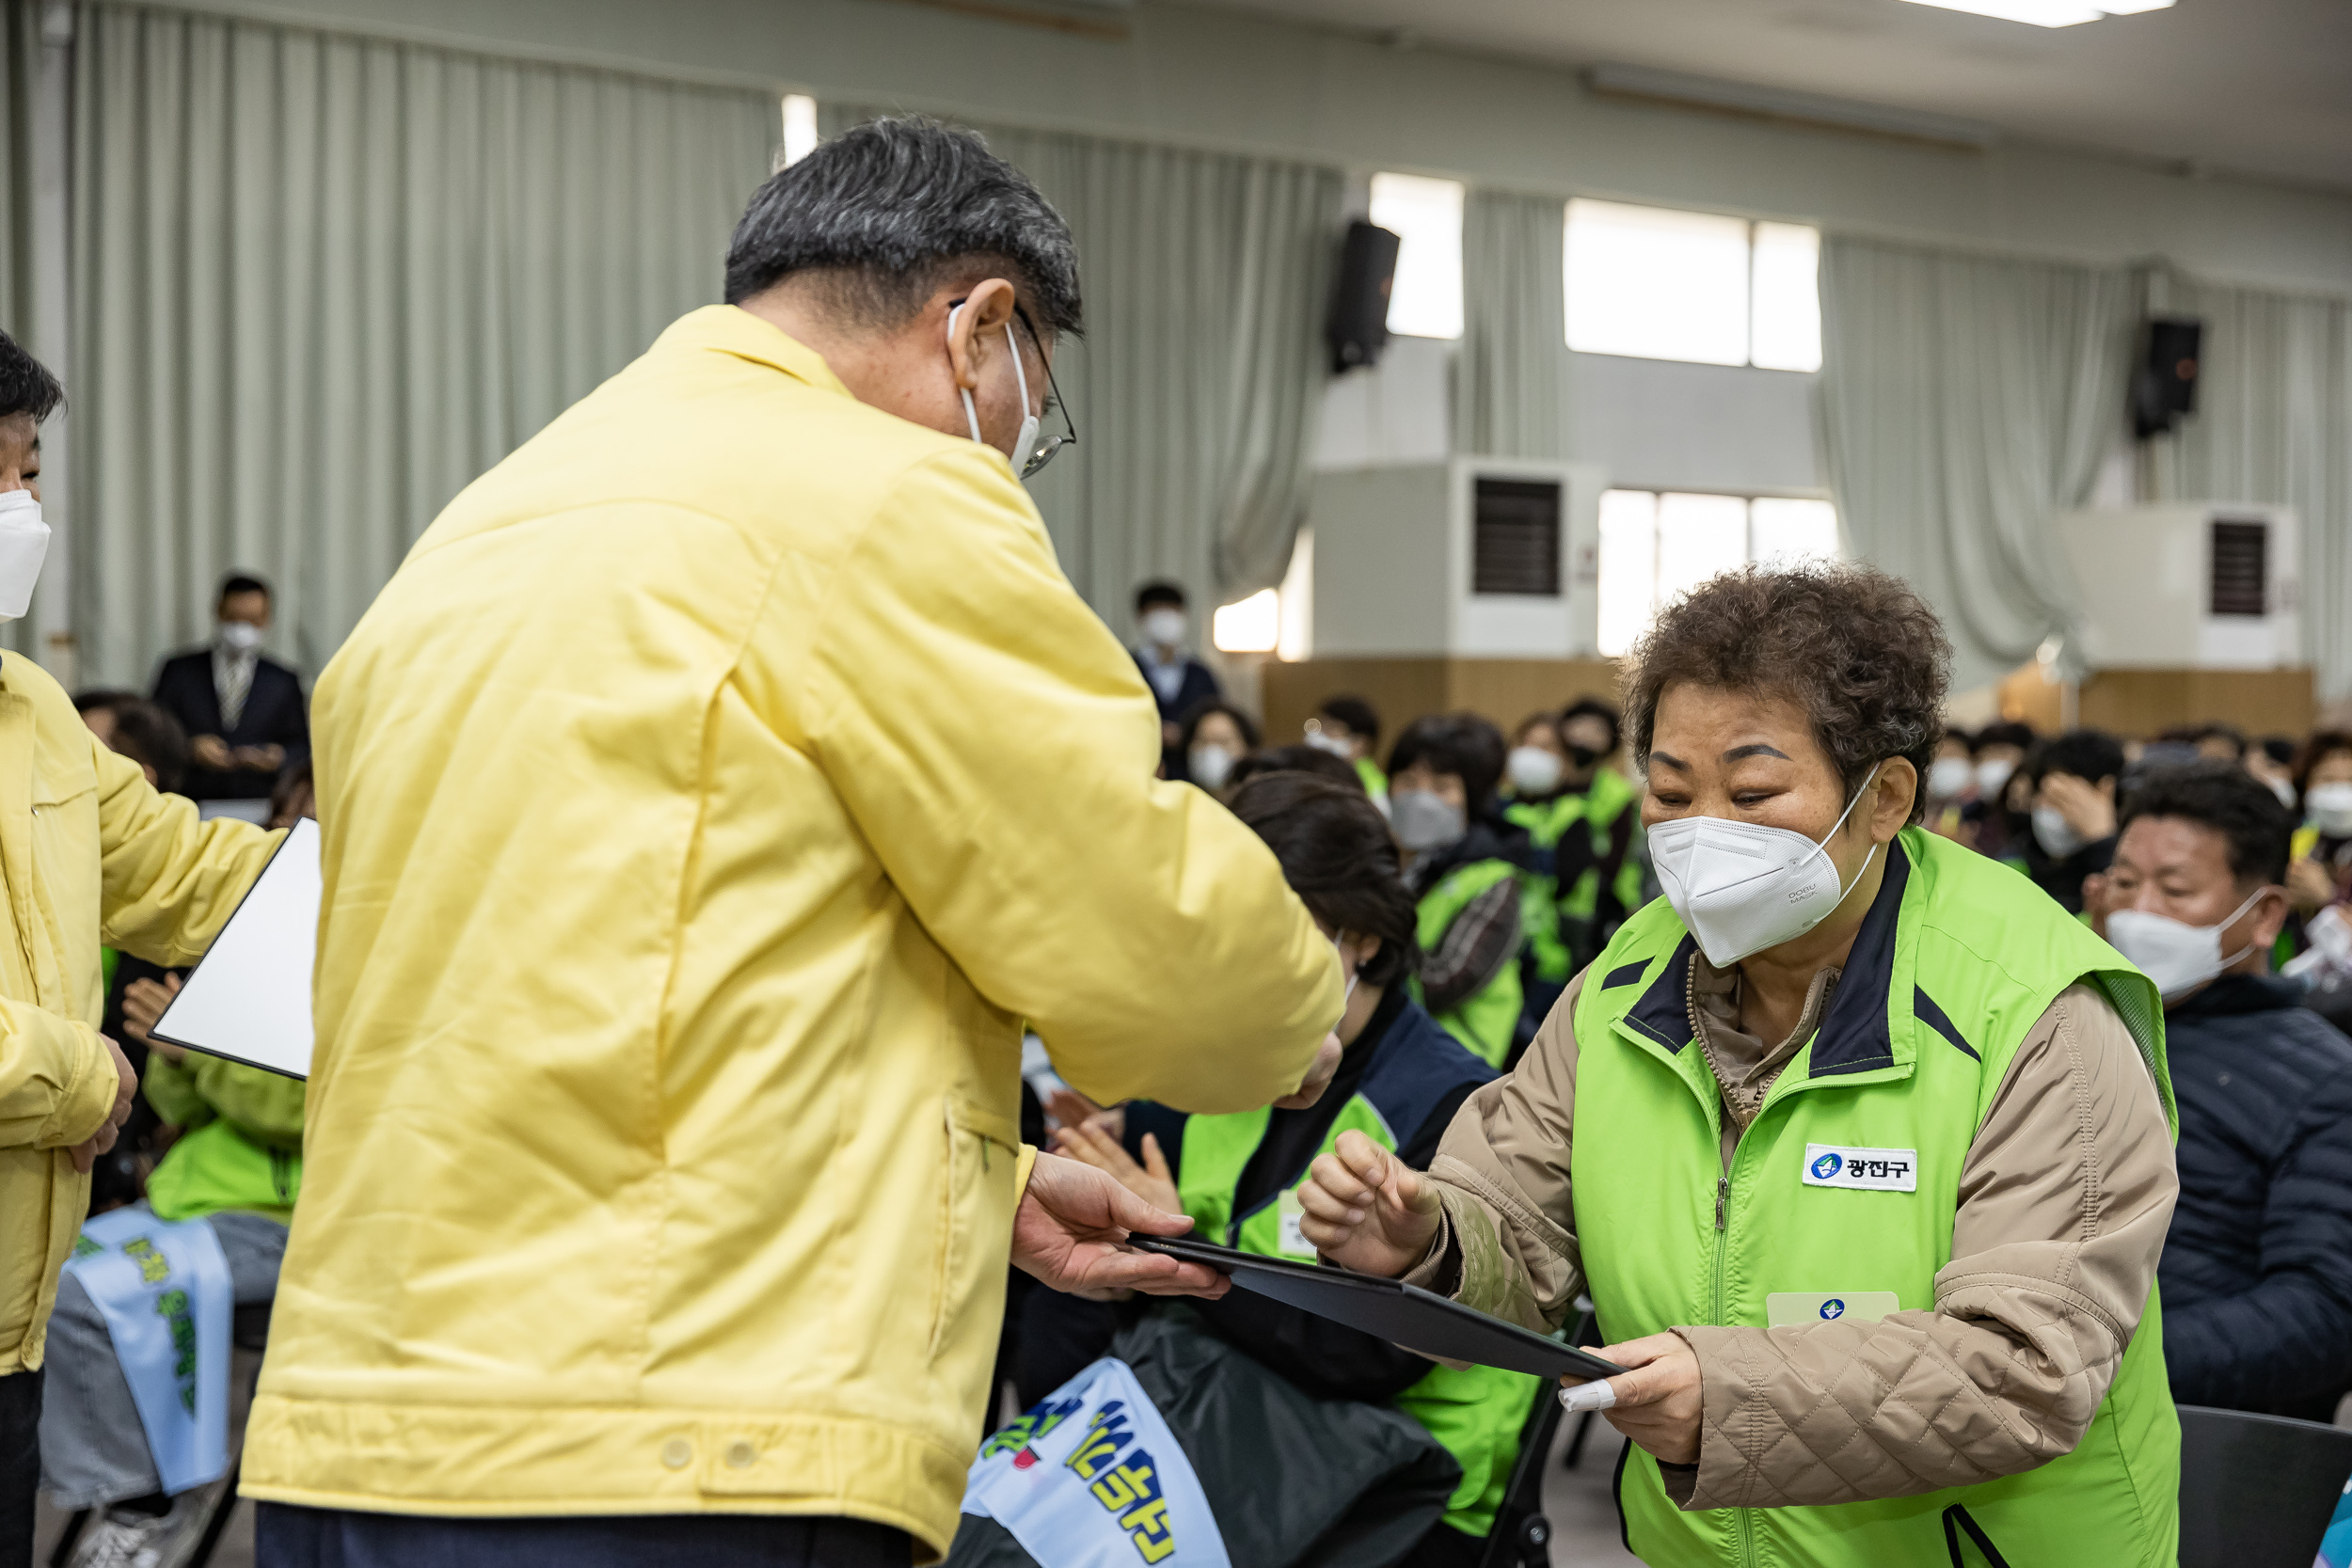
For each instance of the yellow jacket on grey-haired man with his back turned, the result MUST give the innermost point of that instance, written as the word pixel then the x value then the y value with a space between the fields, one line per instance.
pixel 707 800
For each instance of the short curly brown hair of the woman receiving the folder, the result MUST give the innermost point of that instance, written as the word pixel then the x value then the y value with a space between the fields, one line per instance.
pixel 1852 645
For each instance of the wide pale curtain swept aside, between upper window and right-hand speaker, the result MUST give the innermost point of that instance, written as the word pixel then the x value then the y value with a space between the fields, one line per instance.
pixel 1967 401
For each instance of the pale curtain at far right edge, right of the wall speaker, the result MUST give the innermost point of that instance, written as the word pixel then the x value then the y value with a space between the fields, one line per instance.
pixel 2273 424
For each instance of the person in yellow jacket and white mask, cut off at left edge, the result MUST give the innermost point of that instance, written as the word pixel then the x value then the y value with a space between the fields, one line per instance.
pixel 91 857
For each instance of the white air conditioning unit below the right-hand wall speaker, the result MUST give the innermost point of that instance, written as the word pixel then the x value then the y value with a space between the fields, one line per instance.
pixel 2196 587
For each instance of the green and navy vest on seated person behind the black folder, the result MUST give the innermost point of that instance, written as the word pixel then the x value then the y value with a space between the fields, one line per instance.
pixel 1476 1412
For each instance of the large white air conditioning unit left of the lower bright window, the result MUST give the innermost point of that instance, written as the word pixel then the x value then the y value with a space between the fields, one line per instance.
pixel 1476 558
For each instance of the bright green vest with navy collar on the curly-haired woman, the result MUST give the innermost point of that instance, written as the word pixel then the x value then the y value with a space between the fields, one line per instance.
pixel 1951 970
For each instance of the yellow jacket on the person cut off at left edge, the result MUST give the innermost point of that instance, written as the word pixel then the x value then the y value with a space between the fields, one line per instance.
pixel 88 857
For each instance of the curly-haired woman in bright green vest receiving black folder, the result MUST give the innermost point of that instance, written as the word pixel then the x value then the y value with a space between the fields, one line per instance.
pixel 1859 1144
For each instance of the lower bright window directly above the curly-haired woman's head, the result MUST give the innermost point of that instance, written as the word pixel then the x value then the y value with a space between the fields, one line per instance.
pixel 1662 544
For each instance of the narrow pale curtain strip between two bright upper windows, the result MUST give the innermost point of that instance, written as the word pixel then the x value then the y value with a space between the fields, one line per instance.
pixel 1511 373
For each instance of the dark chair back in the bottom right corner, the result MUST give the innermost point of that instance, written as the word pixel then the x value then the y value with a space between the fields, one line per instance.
pixel 2257 1492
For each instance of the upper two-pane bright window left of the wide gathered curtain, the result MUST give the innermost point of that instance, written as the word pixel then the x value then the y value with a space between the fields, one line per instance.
pixel 1659 283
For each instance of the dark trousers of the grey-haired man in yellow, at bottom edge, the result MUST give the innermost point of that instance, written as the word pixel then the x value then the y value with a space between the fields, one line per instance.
pixel 333 1539
